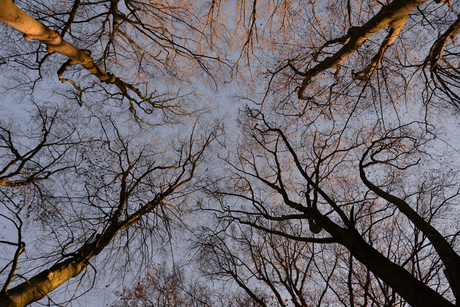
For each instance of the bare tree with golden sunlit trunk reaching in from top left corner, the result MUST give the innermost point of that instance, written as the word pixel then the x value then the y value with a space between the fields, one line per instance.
pixel 131 34
